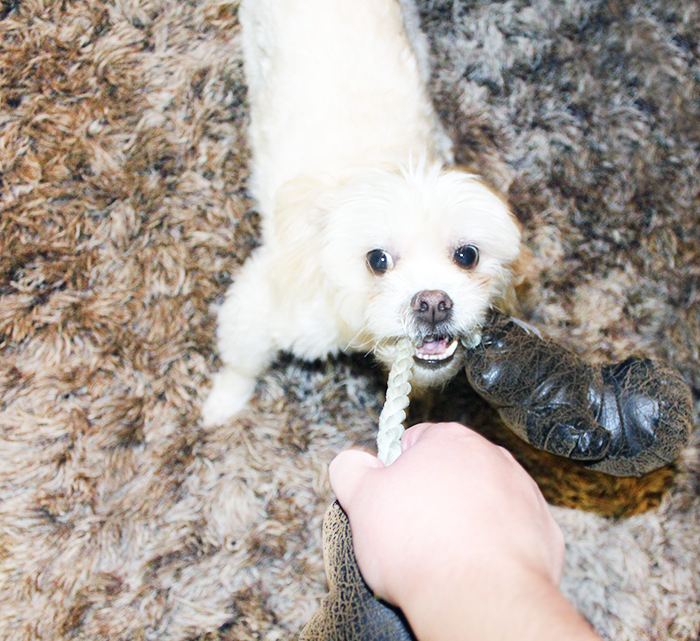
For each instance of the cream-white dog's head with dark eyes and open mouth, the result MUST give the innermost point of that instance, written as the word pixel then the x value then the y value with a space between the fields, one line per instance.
pixel 420 253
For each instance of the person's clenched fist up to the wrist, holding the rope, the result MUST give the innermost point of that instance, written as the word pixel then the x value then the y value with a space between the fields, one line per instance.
pixel 450 496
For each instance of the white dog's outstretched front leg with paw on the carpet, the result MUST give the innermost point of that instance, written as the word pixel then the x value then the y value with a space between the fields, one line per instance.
pixel 246 341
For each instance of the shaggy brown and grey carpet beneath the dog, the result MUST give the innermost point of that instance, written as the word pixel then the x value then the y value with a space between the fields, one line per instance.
pixel 124 216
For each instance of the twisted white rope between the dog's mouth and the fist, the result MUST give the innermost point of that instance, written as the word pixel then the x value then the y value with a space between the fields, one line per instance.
pixel 394 411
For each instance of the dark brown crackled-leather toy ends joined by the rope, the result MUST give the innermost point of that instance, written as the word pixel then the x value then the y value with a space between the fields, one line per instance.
pixel 624 419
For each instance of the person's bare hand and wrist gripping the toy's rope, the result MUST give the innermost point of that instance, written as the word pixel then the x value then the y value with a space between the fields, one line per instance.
pixel 454 525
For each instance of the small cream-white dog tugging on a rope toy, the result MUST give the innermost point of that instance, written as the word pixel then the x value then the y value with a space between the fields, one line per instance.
pixel 369 234
